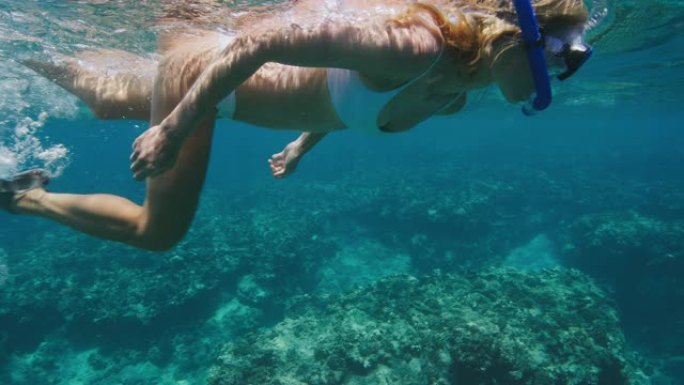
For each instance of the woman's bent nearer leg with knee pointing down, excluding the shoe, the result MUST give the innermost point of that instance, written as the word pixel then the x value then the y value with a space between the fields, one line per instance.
pixel 171 198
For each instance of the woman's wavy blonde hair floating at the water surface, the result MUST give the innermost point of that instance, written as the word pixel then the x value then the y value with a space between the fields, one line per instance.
pixel 470 27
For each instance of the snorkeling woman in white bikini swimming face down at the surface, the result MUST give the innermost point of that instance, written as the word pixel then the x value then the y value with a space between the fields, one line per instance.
pixel 316 66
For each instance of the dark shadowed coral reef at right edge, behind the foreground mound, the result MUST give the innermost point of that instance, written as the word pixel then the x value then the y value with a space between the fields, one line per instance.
pixel 641 259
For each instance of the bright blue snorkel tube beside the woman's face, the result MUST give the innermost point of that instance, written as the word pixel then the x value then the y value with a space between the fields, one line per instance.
pixel 534 45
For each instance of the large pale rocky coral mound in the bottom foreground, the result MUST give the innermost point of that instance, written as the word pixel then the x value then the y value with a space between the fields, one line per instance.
pixel 497 327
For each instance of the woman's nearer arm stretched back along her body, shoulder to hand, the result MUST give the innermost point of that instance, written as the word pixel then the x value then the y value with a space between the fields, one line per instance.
pixel 378 48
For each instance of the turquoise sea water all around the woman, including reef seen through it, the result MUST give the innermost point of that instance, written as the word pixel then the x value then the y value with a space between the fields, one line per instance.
pixel 489 210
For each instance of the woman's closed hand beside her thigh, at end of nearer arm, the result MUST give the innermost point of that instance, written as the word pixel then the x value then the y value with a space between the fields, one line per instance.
pixel 154 152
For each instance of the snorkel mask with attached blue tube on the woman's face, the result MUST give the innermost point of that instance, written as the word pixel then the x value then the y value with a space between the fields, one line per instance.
pixel 572 54
